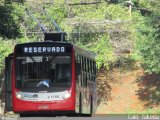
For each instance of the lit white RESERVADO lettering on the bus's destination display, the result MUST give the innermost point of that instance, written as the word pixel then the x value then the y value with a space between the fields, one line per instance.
pixel 44 49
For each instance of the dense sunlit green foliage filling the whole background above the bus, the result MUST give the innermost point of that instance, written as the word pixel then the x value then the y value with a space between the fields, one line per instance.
pixel 105 28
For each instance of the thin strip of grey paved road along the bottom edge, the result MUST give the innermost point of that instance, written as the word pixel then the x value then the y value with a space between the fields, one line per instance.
pixel 95 117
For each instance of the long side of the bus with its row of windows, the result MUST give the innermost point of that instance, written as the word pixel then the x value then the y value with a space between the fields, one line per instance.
pixel 86 88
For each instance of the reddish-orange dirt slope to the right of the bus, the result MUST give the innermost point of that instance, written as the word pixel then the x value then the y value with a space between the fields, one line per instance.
pixel 129 94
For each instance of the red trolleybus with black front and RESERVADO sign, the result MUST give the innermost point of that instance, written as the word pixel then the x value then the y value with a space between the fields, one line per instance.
pixel 50 76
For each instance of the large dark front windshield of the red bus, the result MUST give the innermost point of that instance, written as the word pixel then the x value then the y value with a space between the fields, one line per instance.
pixel 43 72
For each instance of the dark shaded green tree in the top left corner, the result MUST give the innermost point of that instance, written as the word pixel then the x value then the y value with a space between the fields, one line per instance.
pixel 10 16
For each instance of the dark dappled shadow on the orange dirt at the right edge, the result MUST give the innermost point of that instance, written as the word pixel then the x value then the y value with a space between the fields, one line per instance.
pixel 149 90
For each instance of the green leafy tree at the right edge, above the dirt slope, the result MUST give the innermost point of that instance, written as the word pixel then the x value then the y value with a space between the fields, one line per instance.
pixel 148 43
